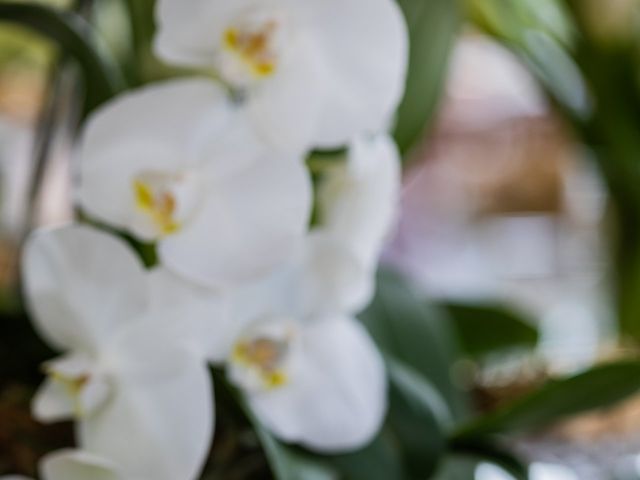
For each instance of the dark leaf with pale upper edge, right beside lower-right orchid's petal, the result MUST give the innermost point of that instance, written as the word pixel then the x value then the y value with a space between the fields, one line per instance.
pixel 418 416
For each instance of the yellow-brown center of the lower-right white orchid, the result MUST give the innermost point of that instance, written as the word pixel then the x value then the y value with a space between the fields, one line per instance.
pixel 265 356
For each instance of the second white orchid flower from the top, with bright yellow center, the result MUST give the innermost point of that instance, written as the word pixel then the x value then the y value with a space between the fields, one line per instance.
pixel 176 163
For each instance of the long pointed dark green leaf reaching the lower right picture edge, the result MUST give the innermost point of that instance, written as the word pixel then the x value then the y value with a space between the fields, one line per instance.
pixel 600 387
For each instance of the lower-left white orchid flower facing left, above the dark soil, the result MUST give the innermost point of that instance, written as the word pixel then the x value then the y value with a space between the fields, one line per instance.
pixel 141 393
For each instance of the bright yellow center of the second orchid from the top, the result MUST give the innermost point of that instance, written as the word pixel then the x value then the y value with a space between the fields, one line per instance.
pixel 160 205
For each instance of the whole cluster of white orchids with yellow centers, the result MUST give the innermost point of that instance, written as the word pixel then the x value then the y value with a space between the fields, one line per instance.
pixel 260 270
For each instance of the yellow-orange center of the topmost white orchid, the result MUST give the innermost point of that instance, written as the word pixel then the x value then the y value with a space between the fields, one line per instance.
pixel 255 47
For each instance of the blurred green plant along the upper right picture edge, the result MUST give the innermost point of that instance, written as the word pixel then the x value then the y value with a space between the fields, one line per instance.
pixel 586 57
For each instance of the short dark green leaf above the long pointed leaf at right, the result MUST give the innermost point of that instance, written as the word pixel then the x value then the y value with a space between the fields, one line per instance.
pixel 487 328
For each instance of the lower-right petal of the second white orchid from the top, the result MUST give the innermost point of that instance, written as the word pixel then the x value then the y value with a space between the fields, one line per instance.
pixel 248 225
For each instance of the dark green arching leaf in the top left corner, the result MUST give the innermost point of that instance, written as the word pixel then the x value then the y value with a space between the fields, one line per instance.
pixel 75 38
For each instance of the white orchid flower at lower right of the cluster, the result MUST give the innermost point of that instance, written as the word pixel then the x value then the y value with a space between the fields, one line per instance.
pixel 308 369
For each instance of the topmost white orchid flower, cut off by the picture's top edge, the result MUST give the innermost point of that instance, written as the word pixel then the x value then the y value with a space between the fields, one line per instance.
pixel 314 72
